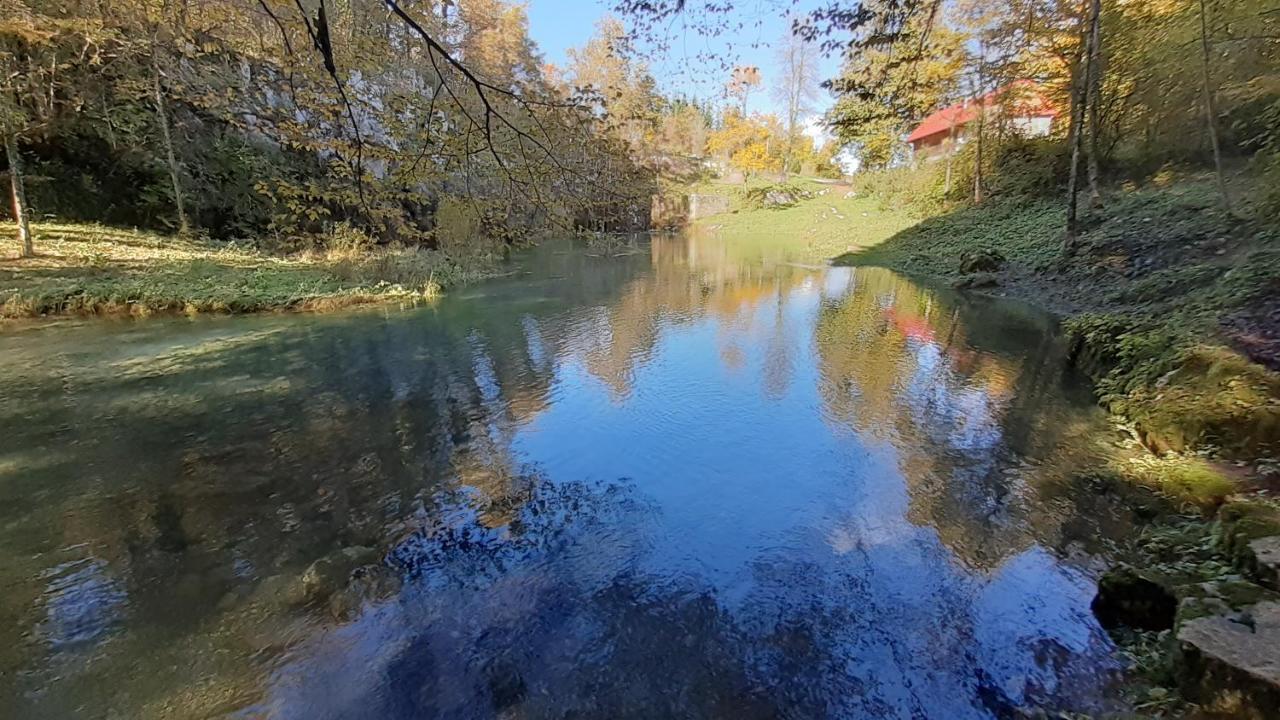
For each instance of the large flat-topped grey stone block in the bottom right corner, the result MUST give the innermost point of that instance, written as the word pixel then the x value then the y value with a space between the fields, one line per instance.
pixel 1231 663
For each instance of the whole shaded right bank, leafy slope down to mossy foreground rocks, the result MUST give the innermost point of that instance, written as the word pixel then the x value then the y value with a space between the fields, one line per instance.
pixel 1171 308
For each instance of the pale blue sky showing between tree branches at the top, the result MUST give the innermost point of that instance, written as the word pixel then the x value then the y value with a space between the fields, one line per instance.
pixel 561 25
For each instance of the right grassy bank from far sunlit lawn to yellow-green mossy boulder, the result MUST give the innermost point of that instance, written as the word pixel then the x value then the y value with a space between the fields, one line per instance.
pixel 1173 302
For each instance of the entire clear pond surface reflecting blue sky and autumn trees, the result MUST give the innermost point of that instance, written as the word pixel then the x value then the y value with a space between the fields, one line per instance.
pixel 674 481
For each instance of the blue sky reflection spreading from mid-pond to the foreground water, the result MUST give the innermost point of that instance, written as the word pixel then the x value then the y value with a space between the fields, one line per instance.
pixel 828 601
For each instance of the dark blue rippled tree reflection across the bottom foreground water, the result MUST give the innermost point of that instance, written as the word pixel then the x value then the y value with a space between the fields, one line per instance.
pixel 555 617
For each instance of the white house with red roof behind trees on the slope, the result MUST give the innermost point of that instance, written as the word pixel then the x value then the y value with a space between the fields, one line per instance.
pixel 1020 107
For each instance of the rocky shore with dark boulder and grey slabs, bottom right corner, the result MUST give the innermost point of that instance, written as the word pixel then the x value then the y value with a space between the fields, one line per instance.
pixel 1197 605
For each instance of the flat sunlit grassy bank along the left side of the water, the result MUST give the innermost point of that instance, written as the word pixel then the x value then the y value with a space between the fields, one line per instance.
pixel 85 270
